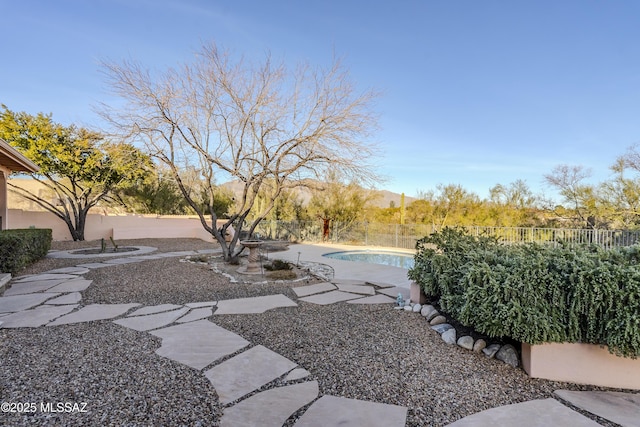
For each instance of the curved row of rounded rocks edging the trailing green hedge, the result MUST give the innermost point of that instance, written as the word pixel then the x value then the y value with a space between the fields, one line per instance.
pixel 506 353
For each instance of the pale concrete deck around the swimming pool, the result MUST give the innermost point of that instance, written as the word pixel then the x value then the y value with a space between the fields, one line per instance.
pixel 352 270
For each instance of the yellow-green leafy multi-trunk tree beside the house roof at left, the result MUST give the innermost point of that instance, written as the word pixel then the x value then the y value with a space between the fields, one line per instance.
pixel 77 165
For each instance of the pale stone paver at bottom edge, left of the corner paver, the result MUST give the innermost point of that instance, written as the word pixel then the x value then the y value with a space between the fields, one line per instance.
pixel 535 413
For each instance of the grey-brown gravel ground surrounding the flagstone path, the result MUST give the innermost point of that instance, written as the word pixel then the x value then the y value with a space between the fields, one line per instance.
pixel 355 351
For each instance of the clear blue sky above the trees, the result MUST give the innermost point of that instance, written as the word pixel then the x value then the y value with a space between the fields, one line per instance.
pixel 474 92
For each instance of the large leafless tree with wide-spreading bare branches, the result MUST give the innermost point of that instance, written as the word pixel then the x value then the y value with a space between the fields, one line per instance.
pixel 249 123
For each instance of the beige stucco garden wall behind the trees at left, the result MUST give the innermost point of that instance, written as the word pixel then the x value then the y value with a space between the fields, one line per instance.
pixel 101 226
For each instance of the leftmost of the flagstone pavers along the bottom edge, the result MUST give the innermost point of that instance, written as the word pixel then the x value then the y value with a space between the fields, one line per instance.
pixel 270 408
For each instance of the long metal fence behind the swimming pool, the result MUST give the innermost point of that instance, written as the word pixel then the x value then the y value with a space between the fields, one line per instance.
pixel 405 236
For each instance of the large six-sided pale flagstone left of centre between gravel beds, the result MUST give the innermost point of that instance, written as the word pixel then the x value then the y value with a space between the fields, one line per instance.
pixel 198 344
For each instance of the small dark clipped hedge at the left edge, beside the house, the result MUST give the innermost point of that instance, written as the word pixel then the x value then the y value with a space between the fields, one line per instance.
pixel 20 248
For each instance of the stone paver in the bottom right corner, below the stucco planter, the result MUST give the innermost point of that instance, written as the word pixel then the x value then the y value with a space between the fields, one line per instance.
pixel 618 407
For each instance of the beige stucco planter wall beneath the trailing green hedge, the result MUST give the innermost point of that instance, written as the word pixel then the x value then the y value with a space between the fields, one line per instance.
pixel 580 364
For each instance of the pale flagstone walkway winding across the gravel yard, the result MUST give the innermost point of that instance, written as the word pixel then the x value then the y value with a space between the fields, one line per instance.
pixel 188 337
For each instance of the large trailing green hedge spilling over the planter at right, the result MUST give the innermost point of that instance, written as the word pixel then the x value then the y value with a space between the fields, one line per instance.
pixel 535 293
